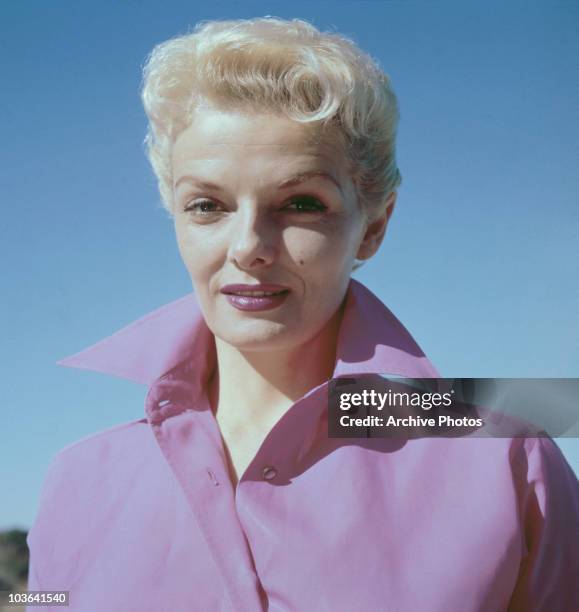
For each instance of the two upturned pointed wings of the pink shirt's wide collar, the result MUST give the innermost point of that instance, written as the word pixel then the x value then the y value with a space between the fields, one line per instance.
pixel 370 340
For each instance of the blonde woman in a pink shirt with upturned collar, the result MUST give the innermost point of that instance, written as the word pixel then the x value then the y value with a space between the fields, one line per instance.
pixel 274 148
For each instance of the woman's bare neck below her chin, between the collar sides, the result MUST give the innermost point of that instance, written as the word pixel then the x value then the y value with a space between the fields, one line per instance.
pixel 256 387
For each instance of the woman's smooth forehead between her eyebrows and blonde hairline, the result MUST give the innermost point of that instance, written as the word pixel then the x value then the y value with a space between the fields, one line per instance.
pixel 266 139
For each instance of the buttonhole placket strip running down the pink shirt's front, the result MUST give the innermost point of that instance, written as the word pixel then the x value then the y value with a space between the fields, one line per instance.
pixel 189 439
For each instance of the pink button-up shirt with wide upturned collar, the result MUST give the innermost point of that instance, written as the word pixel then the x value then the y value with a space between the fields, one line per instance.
pixel 143 516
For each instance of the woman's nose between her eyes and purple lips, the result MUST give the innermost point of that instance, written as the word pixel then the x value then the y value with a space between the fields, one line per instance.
pixel 253 240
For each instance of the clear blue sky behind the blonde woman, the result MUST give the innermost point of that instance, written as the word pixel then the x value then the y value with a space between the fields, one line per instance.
pixel 481 258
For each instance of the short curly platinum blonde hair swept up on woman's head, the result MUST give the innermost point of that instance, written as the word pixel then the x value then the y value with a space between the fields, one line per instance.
pixel 273 65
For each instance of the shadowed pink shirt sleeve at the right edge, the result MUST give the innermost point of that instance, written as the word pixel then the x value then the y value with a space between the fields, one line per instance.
pixel 549 506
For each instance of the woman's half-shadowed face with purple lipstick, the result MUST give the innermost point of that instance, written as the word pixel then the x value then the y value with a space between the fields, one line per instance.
pixel 257 200
